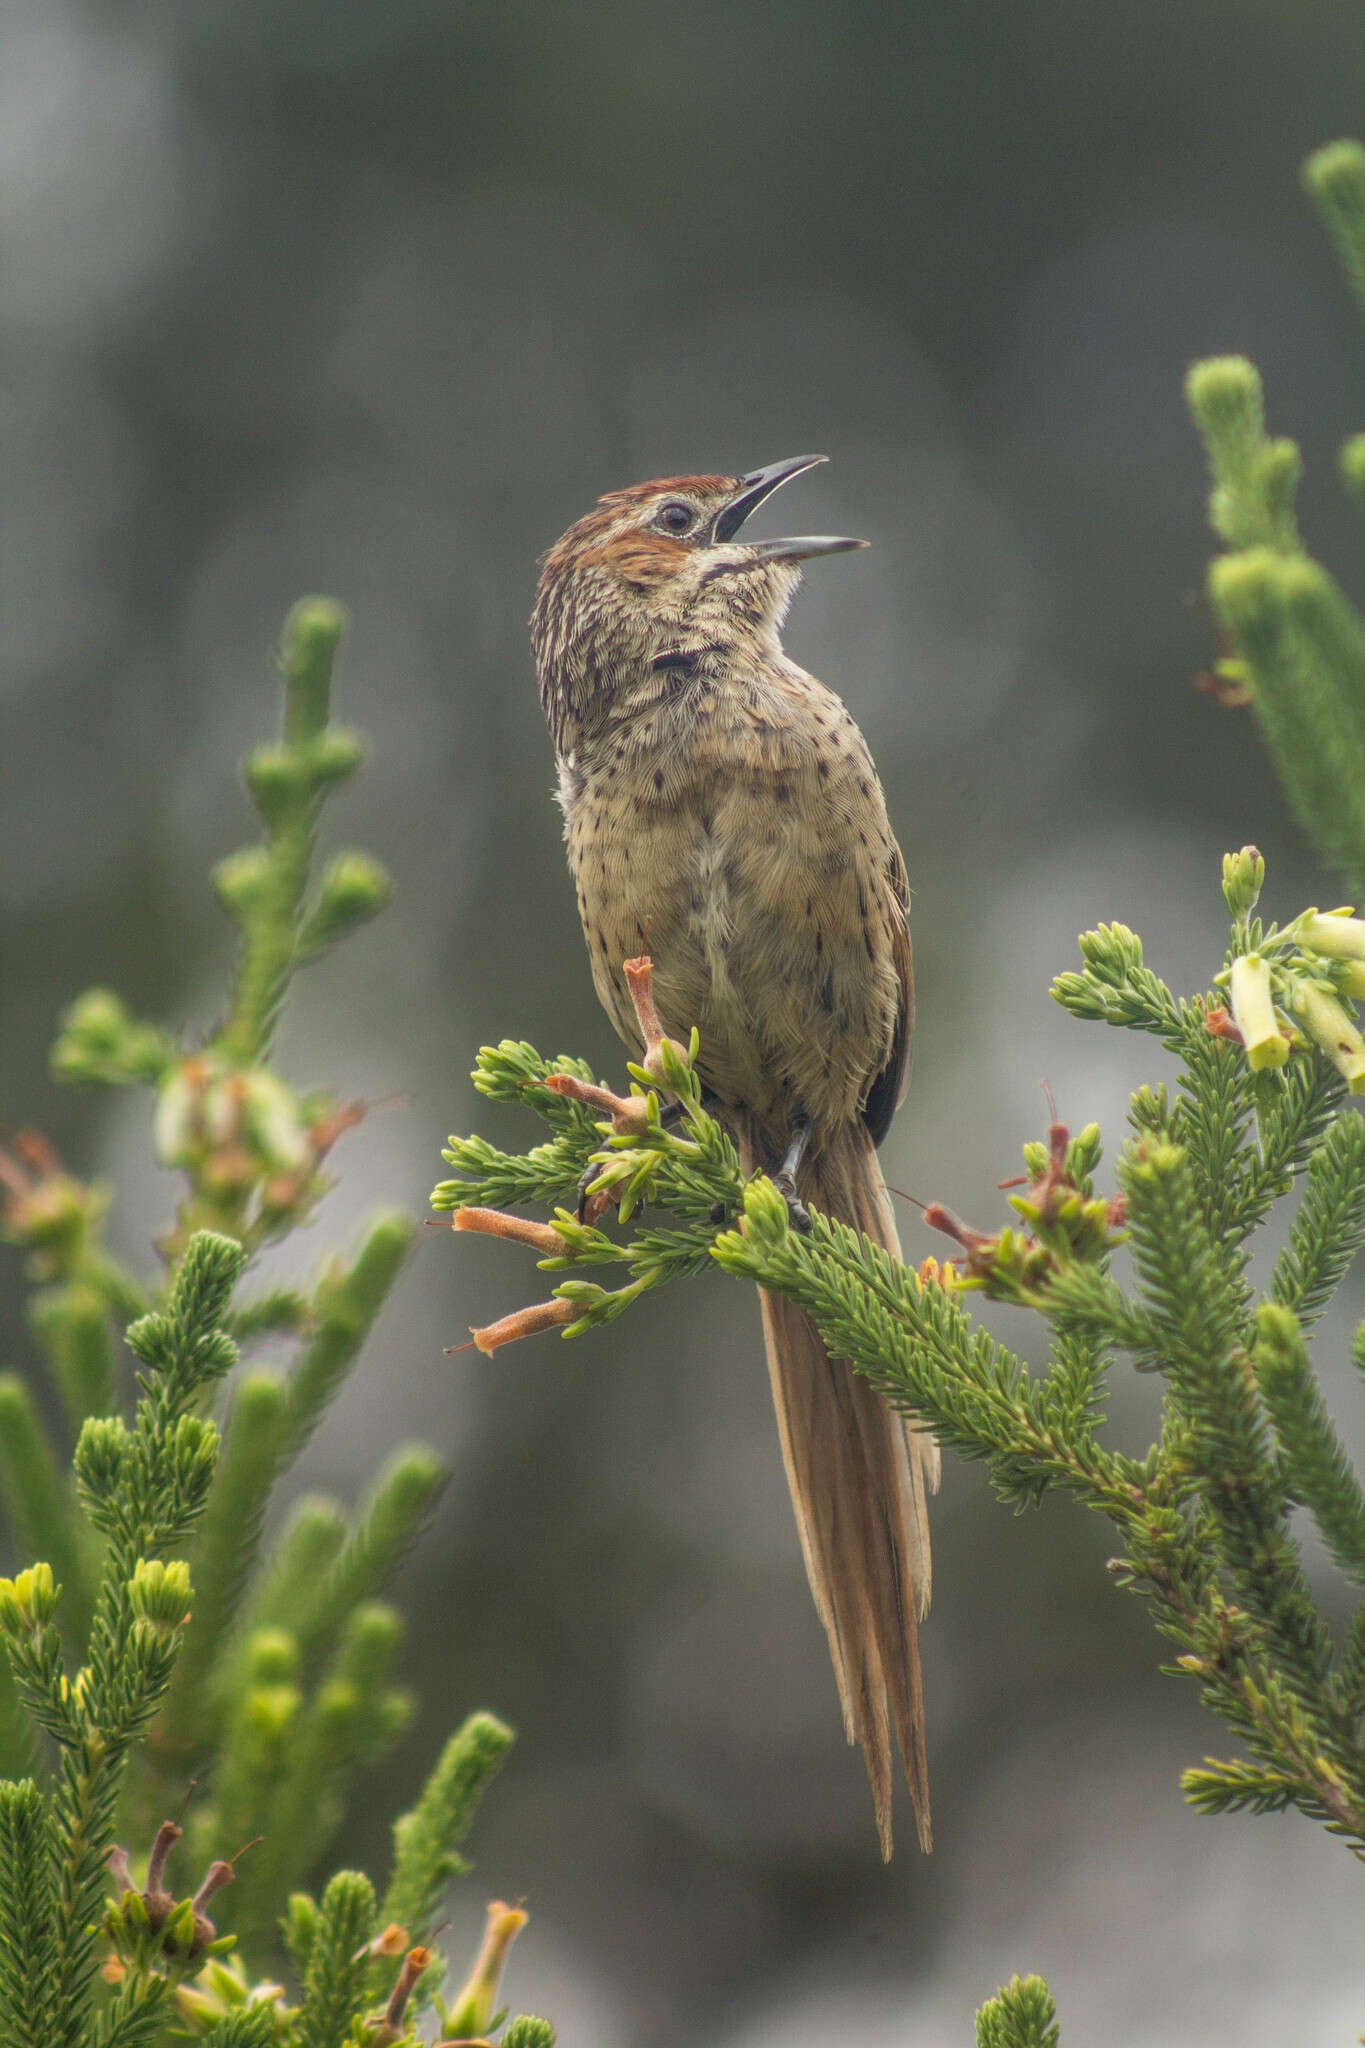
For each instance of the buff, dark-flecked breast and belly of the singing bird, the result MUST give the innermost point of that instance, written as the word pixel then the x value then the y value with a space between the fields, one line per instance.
pixel 766 904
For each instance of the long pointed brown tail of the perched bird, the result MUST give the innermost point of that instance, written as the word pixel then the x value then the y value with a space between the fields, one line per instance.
pixel 861 1480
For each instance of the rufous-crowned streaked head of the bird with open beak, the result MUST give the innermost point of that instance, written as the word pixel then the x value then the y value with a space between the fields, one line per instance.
pixel 658 570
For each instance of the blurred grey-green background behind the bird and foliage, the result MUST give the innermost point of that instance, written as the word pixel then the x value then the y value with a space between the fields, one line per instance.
pixel 373 298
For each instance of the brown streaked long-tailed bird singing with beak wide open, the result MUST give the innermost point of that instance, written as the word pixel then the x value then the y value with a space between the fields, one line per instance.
pixel 723 814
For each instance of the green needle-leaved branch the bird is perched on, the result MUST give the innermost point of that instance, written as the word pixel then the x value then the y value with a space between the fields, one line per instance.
pixel 1204 1514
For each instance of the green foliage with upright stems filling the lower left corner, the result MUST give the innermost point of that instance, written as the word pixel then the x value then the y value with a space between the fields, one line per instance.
pixel 155 1644
